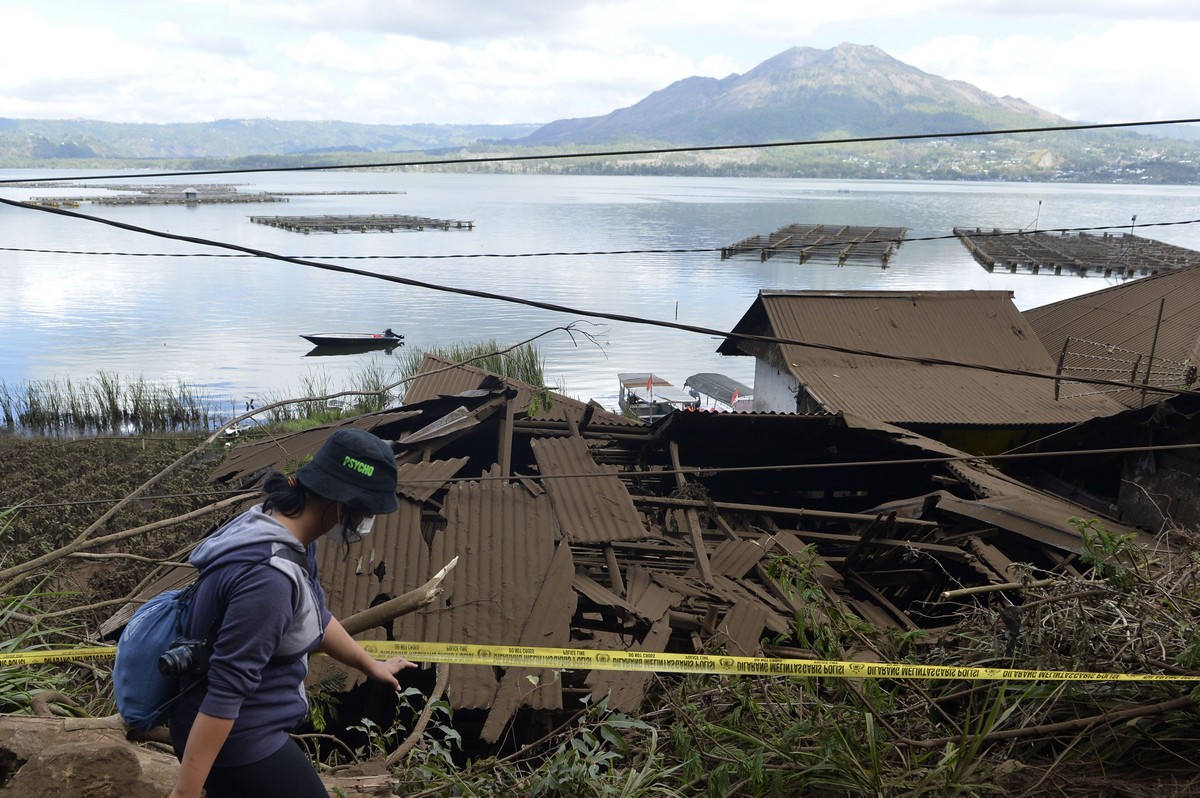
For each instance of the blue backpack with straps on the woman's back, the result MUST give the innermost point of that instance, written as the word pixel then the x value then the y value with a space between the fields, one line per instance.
pixel 143 691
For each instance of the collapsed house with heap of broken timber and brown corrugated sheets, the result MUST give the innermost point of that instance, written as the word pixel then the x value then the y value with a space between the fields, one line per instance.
pixel 578 527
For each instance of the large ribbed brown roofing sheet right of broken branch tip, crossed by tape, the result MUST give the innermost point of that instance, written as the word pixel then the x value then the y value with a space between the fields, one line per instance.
pixel 505 539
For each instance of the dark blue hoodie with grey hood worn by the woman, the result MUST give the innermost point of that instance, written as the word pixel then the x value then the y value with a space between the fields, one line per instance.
pixel 275 616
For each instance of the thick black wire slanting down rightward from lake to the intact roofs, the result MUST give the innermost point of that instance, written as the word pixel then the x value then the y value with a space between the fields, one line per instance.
pixel 574 311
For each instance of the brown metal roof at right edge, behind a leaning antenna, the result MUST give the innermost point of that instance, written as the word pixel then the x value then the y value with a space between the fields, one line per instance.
pixel 1111 334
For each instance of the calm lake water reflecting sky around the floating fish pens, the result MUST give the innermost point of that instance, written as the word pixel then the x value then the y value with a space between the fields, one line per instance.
pixel 80 298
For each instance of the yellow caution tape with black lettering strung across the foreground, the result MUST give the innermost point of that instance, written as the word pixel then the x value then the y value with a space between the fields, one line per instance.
pixel 579 659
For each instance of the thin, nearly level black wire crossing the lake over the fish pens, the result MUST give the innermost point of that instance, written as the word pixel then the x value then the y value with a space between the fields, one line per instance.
pixel 994 233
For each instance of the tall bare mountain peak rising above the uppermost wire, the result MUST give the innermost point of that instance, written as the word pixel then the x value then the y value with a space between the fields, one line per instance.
pixel 851 91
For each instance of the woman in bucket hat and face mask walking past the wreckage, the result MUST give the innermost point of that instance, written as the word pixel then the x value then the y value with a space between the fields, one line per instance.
pixel 263 613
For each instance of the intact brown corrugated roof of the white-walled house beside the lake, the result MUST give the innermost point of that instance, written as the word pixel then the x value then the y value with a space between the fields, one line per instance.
pixel 965 327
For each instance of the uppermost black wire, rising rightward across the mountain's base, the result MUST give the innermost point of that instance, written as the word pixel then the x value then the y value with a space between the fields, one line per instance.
pixel 560 157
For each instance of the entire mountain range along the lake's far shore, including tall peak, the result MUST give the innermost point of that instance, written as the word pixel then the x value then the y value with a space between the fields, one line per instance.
pixel 802 94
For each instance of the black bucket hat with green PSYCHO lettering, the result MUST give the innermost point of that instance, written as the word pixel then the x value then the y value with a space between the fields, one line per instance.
pixel 356 469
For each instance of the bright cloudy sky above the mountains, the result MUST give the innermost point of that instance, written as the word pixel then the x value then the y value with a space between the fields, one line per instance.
pixel 502 62
